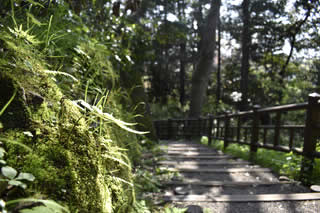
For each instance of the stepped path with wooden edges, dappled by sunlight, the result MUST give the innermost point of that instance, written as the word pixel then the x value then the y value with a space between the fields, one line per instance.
pixel 224 184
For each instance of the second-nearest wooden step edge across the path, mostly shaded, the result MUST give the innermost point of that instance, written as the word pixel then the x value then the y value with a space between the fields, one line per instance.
pixel 226 183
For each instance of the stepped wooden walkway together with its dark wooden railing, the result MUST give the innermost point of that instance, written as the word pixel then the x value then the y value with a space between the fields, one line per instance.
pixel 209 176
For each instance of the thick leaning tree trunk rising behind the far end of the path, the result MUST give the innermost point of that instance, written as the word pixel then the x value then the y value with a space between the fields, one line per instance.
pixel 204 66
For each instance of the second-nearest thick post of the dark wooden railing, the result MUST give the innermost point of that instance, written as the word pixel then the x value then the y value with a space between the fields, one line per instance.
pixel 254 131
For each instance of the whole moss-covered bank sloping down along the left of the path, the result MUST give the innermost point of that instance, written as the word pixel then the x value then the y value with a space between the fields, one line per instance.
pixel 77 158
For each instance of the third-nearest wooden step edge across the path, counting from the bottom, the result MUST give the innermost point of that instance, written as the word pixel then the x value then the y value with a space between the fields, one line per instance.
pixel 223 170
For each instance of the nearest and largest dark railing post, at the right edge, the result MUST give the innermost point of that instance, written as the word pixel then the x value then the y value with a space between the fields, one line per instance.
pixel 311 133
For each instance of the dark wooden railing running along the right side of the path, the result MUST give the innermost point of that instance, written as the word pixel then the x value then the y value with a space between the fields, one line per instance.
pixel 270 128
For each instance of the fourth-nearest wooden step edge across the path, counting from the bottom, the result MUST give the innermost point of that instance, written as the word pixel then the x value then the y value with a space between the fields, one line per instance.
pixel 204 163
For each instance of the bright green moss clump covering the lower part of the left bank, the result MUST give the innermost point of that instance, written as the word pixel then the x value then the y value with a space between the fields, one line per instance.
pixel 90 173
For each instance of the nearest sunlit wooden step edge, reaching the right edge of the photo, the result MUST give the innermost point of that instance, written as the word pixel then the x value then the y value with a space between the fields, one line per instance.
pixel 245 198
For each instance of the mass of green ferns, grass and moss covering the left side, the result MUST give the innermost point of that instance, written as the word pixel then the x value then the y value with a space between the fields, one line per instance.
pixel 82 151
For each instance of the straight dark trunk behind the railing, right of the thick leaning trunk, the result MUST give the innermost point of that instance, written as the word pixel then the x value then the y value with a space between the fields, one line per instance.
pixel 246 40
